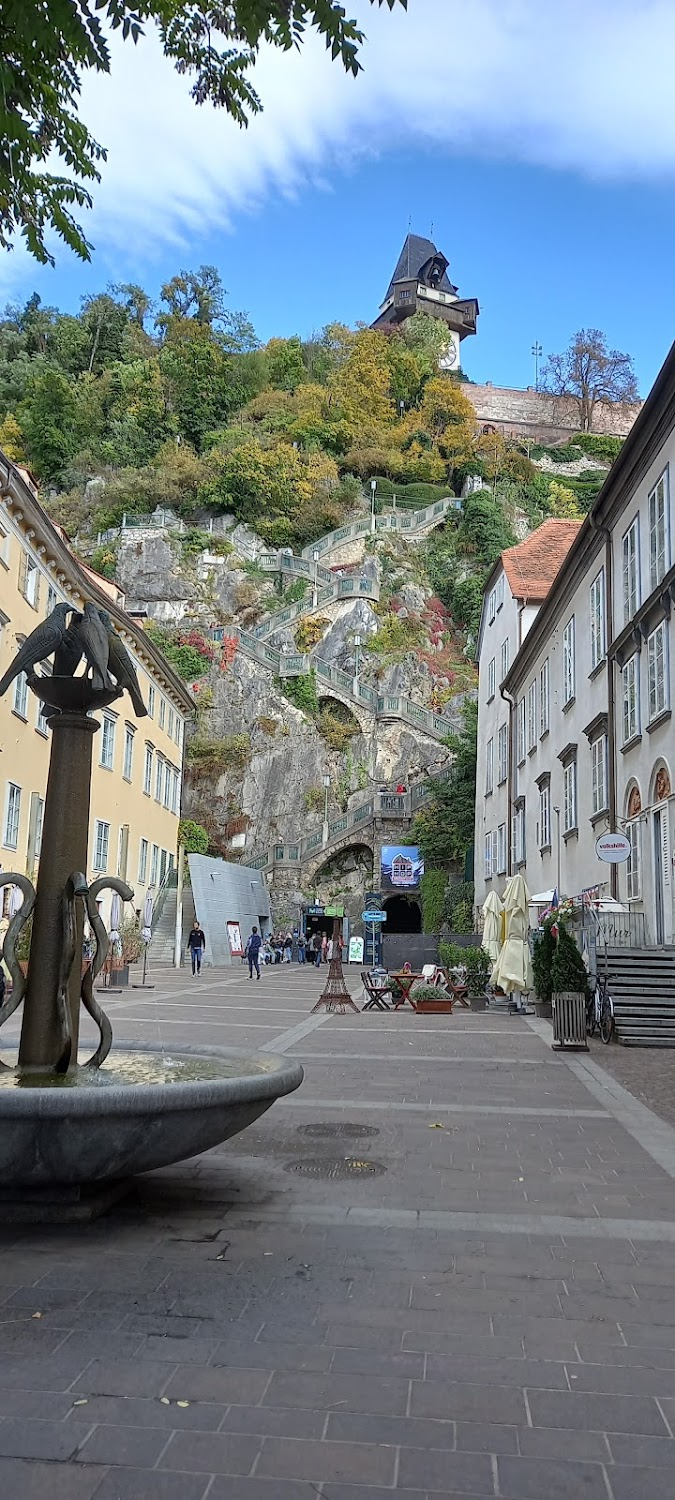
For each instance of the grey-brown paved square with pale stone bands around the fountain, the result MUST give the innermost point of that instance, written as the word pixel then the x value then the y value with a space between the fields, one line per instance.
pixel 442 1270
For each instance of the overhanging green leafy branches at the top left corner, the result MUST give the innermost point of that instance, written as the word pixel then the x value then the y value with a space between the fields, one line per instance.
pixel 47 49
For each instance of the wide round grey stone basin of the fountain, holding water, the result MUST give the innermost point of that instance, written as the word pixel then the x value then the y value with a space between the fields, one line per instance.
pixel 145 1109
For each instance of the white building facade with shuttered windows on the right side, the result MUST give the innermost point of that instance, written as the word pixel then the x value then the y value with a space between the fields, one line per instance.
pixel 590 694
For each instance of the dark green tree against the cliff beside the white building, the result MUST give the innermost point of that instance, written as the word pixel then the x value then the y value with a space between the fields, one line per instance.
pixel 445 829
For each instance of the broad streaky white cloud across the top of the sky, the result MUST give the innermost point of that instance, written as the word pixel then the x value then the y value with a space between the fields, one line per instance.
pixel 580 85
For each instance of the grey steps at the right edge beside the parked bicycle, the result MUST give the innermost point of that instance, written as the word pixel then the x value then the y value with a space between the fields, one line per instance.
pixel 643 989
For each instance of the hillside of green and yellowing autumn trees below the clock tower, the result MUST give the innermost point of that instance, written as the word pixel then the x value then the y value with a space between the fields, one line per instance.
pixel 128 406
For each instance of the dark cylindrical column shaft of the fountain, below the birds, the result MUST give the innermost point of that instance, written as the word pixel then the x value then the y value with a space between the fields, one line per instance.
pixel 64 851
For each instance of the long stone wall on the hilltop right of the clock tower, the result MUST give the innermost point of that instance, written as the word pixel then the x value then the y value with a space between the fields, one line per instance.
pixel 542 418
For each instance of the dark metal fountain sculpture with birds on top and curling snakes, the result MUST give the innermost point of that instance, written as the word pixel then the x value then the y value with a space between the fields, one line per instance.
pixel 55 992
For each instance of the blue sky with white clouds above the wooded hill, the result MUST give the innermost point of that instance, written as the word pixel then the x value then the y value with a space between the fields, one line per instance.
pixel 545 169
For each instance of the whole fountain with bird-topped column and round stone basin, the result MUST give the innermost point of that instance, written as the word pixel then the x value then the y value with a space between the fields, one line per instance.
pixel 73 1135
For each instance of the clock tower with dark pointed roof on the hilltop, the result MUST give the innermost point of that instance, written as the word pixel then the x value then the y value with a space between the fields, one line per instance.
pixel 421 284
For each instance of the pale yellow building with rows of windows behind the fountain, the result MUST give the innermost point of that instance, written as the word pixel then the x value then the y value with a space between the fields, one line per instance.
pixel 137 763
